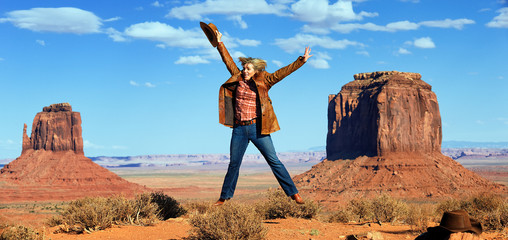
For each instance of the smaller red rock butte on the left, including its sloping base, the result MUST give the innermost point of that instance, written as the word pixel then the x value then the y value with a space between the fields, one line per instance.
pixel 52 165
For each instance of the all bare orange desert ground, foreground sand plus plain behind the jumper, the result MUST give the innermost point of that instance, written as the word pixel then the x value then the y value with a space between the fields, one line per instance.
pixel 205 186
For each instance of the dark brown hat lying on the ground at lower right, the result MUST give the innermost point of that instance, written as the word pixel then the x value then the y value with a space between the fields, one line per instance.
pixel 457 221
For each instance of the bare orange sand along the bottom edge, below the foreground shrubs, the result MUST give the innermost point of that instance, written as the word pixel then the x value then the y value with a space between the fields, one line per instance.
pixel 294 229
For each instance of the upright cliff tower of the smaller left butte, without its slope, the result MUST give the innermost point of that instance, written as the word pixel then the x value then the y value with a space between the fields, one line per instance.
pixel 56 128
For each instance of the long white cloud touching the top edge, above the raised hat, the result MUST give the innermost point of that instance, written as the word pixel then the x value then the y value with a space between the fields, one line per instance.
pixel 198 11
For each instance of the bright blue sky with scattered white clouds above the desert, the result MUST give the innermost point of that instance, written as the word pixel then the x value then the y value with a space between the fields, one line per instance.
pixel 145 79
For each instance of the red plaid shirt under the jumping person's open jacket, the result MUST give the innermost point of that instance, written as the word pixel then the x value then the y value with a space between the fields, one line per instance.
pixel 246 101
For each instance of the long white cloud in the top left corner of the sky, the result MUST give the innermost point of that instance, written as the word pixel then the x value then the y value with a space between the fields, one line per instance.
pixel 61 20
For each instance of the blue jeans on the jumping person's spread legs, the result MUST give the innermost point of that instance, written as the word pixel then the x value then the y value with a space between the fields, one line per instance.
pixel 239 142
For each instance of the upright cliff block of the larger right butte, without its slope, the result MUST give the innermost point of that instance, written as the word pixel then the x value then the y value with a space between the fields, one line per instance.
pixel 381 113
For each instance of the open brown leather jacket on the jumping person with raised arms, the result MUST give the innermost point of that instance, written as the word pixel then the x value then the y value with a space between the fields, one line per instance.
pixel 264 81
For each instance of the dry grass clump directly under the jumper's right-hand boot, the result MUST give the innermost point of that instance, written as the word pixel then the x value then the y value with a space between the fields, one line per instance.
pixel 278 205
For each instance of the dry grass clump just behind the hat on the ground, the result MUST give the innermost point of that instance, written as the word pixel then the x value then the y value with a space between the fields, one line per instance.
pixel 489 209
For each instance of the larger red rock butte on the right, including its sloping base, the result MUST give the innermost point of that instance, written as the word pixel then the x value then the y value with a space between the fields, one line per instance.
pixel 384 136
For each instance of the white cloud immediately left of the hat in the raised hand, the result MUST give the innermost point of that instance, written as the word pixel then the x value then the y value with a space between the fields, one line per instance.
pixel 171 36
